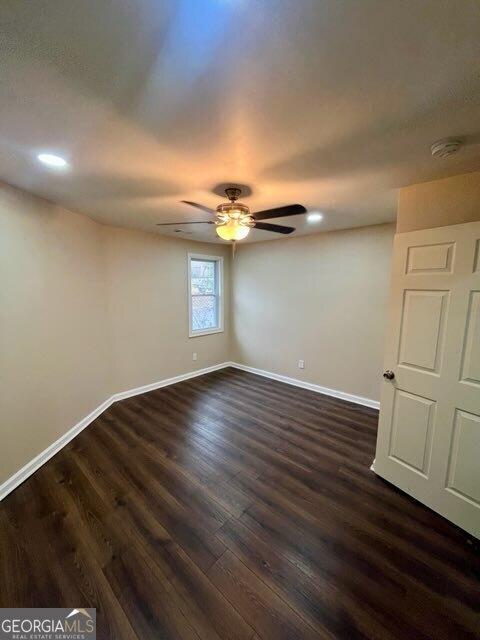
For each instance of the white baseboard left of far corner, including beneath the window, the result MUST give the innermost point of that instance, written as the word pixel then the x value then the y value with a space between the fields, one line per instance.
pixel 22 474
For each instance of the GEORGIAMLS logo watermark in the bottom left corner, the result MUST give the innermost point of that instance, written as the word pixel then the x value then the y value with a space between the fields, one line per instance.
pixel 48 624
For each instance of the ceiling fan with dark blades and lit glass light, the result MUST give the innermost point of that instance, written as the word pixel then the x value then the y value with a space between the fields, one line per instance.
pixel 233 220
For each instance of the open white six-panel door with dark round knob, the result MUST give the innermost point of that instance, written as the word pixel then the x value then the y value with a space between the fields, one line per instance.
pixel 429 430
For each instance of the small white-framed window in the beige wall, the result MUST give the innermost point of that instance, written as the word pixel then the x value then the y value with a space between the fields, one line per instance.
pixel 205 283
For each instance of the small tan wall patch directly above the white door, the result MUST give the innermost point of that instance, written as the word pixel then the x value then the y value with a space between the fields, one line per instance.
pixel 439 203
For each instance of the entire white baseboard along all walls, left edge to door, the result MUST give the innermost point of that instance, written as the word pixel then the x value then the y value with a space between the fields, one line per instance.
pixel 26 471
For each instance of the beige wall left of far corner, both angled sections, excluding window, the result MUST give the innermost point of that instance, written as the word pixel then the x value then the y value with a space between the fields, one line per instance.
pixel 86 311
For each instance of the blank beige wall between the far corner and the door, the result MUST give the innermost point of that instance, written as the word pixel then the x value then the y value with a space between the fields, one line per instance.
pixel 321 298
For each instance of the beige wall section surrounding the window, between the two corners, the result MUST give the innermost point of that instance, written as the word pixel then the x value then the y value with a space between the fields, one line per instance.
pixel 147 284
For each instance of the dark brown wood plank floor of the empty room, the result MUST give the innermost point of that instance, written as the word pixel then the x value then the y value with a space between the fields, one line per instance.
pixel 232 506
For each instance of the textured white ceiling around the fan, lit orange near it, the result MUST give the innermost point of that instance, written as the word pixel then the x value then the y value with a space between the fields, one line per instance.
pixel 330 103
